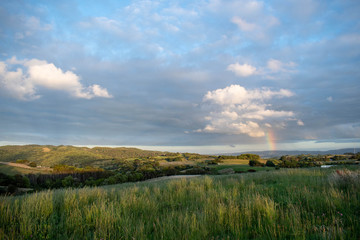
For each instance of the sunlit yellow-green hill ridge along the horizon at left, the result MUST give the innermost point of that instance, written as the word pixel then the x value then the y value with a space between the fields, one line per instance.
pixel 48 155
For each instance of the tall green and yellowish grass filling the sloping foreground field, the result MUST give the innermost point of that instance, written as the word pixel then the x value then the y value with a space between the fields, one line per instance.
pixel 285 204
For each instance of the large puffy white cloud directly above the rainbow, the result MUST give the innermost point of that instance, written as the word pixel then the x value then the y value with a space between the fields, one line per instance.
pixel 237 110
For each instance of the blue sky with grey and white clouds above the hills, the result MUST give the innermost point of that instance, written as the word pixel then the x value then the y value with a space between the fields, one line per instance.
pixel 203 76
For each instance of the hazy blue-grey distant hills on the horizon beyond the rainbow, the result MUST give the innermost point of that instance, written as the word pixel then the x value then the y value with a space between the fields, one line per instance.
pixel 279 153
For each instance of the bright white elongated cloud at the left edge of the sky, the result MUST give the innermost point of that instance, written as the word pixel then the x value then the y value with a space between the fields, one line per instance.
pixel 23 82
